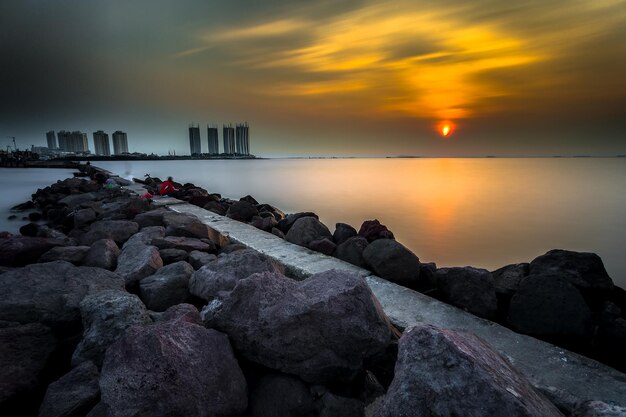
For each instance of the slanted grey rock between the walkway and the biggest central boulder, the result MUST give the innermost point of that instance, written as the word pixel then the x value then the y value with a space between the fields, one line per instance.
pixel 219 277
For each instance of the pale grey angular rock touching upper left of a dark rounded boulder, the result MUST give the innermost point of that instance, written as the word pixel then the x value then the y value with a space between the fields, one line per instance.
pixel 138 261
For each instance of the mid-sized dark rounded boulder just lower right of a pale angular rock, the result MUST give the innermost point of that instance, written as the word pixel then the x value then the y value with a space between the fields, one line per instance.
pixel 167 287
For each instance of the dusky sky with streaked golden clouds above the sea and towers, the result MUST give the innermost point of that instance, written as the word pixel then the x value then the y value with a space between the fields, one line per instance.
pixel 321 78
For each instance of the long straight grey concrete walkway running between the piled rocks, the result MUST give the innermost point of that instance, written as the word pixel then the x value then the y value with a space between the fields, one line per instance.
pixel 542 363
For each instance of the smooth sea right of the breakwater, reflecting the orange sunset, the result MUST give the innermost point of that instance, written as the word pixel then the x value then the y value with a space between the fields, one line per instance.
pixel 483 212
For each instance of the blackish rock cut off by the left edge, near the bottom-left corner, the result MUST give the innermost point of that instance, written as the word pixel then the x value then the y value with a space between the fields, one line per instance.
pixel 24 353
